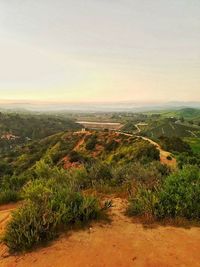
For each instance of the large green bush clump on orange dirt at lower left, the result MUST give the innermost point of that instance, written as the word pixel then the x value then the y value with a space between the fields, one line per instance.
pixel 49 207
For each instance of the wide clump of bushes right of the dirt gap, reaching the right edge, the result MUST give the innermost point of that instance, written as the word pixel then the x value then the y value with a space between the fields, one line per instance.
pixel 179 196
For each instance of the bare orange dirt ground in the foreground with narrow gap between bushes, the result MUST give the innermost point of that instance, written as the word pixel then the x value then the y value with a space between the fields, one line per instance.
pixel 122 243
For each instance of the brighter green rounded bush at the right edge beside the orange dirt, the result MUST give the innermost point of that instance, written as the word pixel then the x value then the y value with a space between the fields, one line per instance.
pixel 180 194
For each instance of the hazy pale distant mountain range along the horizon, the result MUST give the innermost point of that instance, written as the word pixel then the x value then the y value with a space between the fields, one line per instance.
pixel 95 107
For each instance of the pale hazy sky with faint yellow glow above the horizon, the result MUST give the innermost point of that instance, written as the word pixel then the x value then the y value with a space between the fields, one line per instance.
pixel 100 50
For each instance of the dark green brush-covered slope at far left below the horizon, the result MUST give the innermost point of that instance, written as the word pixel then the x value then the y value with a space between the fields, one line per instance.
pixel 18 129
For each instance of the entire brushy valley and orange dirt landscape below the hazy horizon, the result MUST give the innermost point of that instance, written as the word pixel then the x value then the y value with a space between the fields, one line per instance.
pixel 103 188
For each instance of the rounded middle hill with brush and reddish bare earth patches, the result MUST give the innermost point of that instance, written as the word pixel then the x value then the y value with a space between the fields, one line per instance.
pixel 72 149
